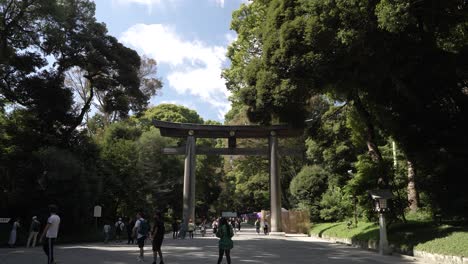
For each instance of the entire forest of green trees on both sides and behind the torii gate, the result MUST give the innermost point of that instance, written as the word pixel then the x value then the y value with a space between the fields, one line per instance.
pixel 380 88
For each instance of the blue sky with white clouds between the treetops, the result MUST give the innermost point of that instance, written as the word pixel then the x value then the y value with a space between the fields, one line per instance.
pixel 187 38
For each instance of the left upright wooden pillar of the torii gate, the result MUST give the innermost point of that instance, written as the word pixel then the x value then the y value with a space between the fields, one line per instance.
pixel 189 180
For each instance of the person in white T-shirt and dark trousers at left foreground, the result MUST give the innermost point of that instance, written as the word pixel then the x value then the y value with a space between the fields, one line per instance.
pixel 50 233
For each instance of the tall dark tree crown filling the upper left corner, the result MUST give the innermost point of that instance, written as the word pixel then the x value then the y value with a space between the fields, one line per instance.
pixel 68 33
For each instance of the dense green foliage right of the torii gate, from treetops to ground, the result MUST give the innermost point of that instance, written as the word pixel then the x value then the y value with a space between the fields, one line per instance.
pixel 391 71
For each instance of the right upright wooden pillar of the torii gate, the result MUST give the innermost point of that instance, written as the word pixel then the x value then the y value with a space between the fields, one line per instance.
pixel 275 185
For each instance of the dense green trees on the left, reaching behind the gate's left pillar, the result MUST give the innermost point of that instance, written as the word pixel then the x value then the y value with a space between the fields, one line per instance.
pixel 67 89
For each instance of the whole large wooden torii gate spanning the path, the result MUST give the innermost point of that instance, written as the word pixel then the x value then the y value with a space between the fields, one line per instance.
pixel 194 131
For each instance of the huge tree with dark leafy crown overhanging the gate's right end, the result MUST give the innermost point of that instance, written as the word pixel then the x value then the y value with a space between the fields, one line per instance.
pixel 401 64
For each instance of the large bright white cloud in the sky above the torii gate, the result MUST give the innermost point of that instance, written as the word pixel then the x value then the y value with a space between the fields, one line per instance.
pixel 195 67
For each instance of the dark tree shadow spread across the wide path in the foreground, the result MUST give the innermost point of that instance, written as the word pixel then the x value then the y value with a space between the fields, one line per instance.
pixel 248 248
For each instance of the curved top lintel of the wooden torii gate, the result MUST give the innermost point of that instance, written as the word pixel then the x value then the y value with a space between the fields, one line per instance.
pixel 169 129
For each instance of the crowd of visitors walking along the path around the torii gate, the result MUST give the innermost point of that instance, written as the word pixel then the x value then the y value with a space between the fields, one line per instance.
pixel 139 230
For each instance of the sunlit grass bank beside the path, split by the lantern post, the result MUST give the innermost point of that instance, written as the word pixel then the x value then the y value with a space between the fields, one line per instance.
pixel 420 235
